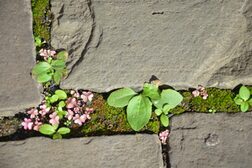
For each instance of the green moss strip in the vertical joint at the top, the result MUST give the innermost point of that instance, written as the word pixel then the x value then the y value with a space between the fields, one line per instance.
pixel 41 18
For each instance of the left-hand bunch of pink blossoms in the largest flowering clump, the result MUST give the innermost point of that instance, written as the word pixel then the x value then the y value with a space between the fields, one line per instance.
pixel 36 117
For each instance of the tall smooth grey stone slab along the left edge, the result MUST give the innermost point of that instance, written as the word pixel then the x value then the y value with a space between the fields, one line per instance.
pixel 17 89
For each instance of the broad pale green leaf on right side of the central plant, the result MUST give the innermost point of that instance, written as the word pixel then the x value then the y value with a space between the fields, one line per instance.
pixel 172 97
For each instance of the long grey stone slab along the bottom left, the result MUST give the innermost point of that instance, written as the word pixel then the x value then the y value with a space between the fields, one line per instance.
pixel 134 151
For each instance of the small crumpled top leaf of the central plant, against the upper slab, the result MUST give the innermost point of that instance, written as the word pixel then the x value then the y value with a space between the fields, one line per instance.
pixel 151 91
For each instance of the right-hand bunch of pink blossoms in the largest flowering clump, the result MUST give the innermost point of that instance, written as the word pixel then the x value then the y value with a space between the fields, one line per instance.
pixel 76 107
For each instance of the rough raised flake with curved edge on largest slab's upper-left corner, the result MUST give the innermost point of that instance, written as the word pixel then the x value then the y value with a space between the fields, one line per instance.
pixel 72 27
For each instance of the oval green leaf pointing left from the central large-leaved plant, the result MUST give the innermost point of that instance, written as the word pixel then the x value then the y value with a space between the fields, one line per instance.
pixel 121 97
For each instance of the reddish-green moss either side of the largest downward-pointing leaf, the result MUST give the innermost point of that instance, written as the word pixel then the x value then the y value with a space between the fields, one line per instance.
pixel 109 120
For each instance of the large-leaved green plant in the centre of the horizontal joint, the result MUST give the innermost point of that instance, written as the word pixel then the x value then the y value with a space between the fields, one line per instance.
pixel 139 106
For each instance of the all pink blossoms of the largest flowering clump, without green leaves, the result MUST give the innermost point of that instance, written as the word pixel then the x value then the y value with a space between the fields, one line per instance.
pixel 77 110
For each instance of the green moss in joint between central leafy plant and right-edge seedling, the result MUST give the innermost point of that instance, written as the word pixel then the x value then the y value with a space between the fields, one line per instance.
pixel 220 100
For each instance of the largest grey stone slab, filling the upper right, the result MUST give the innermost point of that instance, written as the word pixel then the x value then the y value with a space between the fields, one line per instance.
pixel 183 43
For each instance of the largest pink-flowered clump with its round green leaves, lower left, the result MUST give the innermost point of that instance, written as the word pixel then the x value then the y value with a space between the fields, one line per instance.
pixel 59 112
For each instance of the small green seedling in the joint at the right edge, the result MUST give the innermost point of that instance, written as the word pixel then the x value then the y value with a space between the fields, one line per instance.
pixel 243 99
